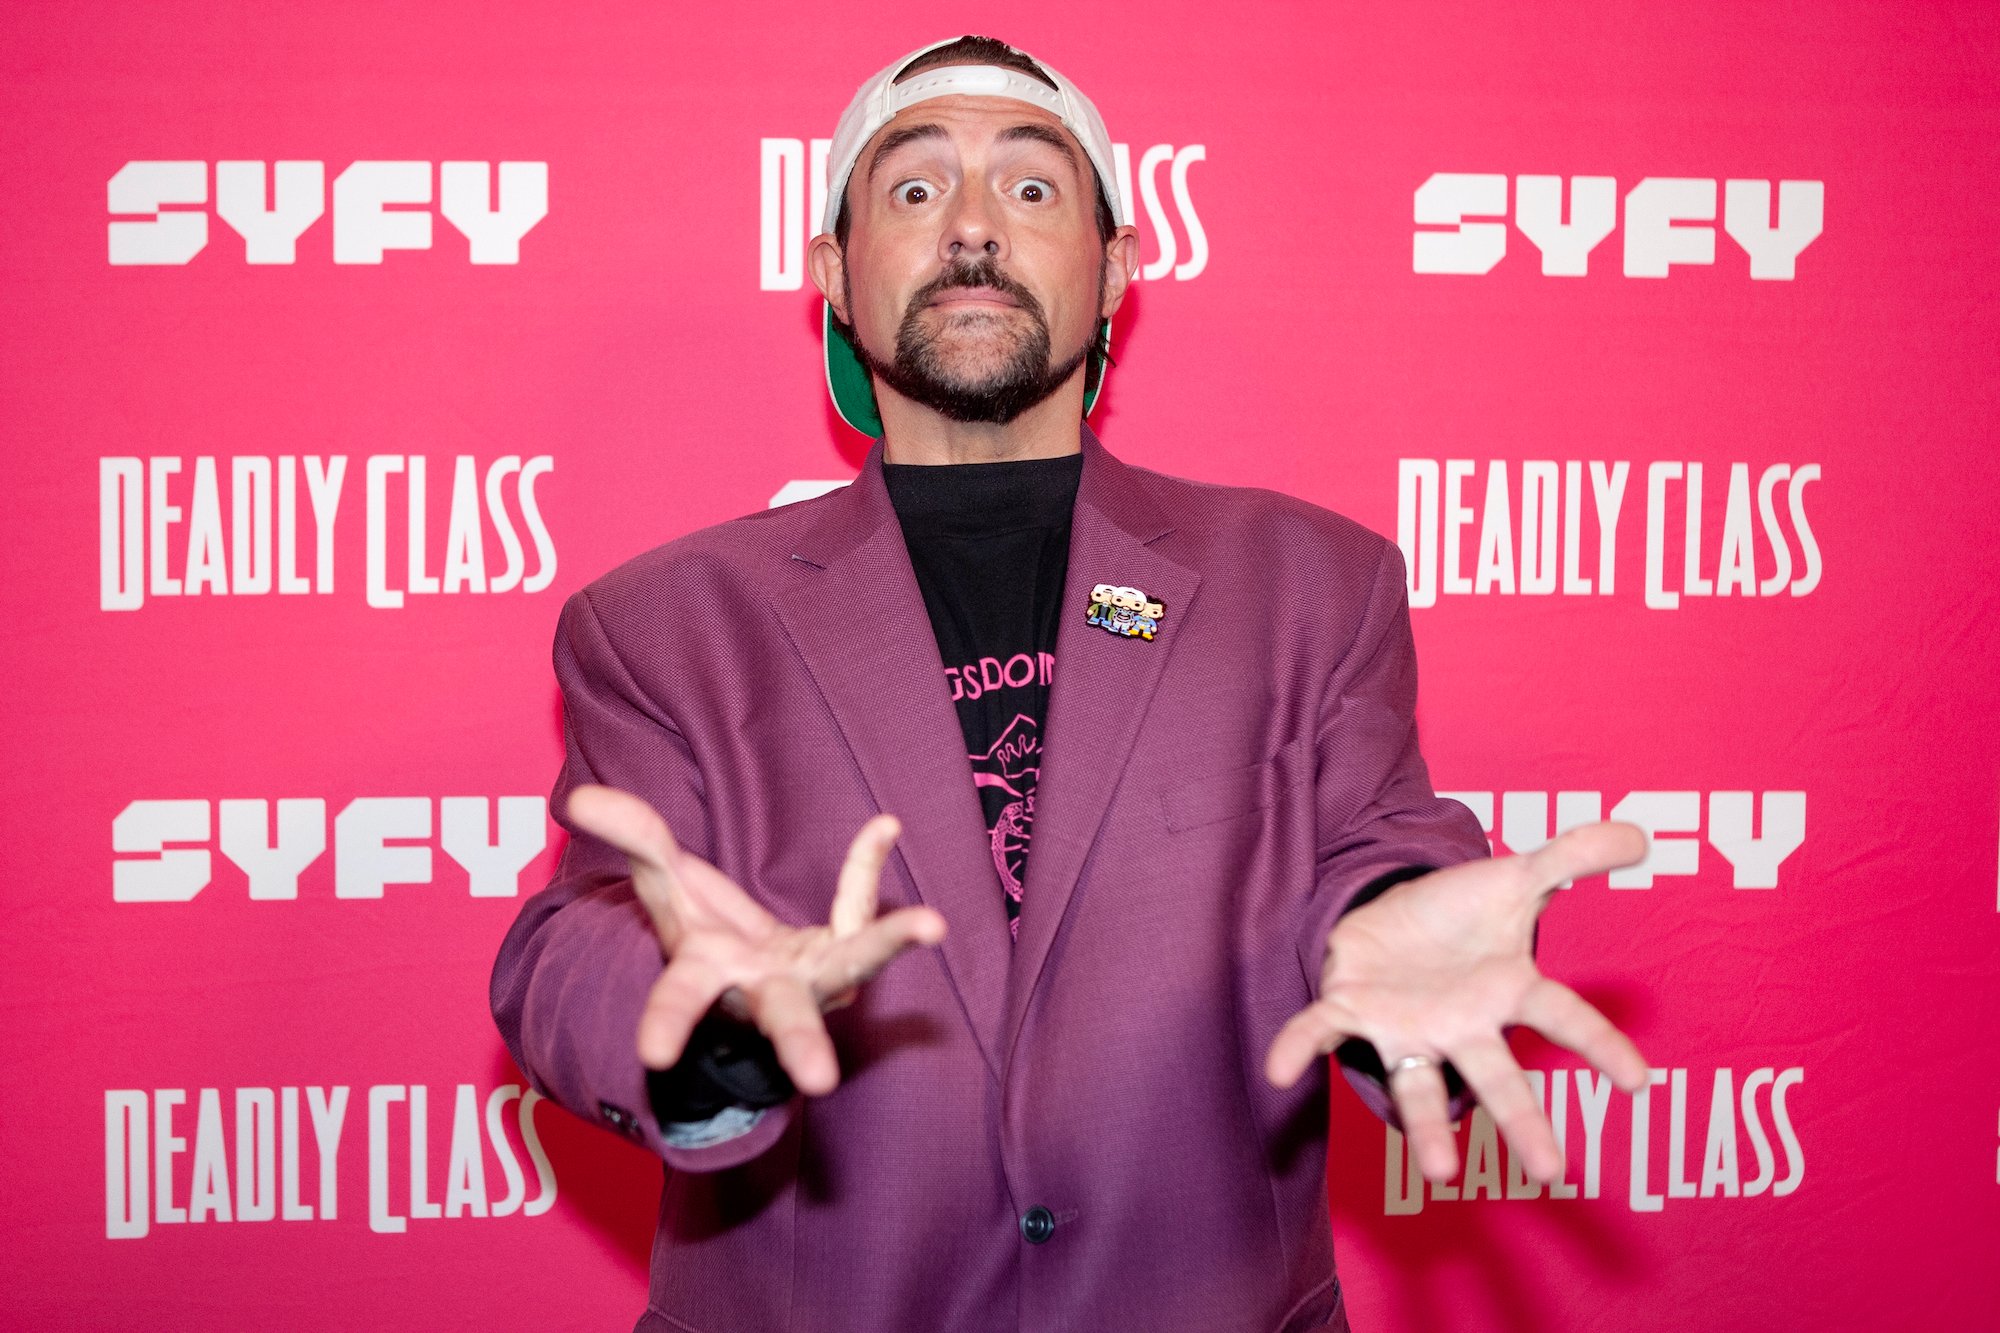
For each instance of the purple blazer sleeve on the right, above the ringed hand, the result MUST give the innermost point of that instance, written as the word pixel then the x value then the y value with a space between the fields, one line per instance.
pixel 1379 820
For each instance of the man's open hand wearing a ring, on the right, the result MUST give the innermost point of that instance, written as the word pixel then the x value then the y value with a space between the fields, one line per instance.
pixel 1437 968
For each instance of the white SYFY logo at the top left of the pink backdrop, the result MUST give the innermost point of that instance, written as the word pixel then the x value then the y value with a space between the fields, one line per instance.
pixel 379 207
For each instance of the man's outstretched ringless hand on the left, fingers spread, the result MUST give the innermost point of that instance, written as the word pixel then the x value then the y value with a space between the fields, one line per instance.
pixel 721 944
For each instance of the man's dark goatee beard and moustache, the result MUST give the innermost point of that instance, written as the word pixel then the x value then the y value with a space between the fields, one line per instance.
pixel 921 369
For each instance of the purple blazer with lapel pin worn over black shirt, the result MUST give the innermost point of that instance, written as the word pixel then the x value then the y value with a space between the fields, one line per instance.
pixel 1071 1132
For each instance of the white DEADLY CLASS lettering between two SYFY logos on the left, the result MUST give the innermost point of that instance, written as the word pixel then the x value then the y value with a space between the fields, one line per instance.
pixel 141 553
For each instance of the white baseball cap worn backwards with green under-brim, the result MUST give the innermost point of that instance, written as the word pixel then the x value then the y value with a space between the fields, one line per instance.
pixel 879 103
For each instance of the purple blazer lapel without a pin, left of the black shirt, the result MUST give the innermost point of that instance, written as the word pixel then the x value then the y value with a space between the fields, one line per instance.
pixel 863 631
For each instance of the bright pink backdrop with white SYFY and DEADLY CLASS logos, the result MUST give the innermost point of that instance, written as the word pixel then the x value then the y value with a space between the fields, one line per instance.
pixel 343 343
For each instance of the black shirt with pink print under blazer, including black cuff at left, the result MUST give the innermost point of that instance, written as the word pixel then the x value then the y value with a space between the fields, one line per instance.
pixel 991 549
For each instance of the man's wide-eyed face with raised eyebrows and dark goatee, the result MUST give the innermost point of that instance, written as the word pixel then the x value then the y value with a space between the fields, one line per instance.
pixel 975 273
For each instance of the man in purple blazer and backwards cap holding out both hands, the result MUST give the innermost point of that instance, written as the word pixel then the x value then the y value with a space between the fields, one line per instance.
pixel 1153 882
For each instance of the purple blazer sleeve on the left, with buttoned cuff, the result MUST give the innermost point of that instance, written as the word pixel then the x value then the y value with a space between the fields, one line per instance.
pixel 575 970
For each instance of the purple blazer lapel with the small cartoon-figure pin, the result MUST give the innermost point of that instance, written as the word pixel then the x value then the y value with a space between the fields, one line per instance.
pixel 1099 698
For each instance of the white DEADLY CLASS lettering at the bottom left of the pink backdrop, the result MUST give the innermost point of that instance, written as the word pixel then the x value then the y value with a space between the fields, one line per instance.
pixel 147 1182
